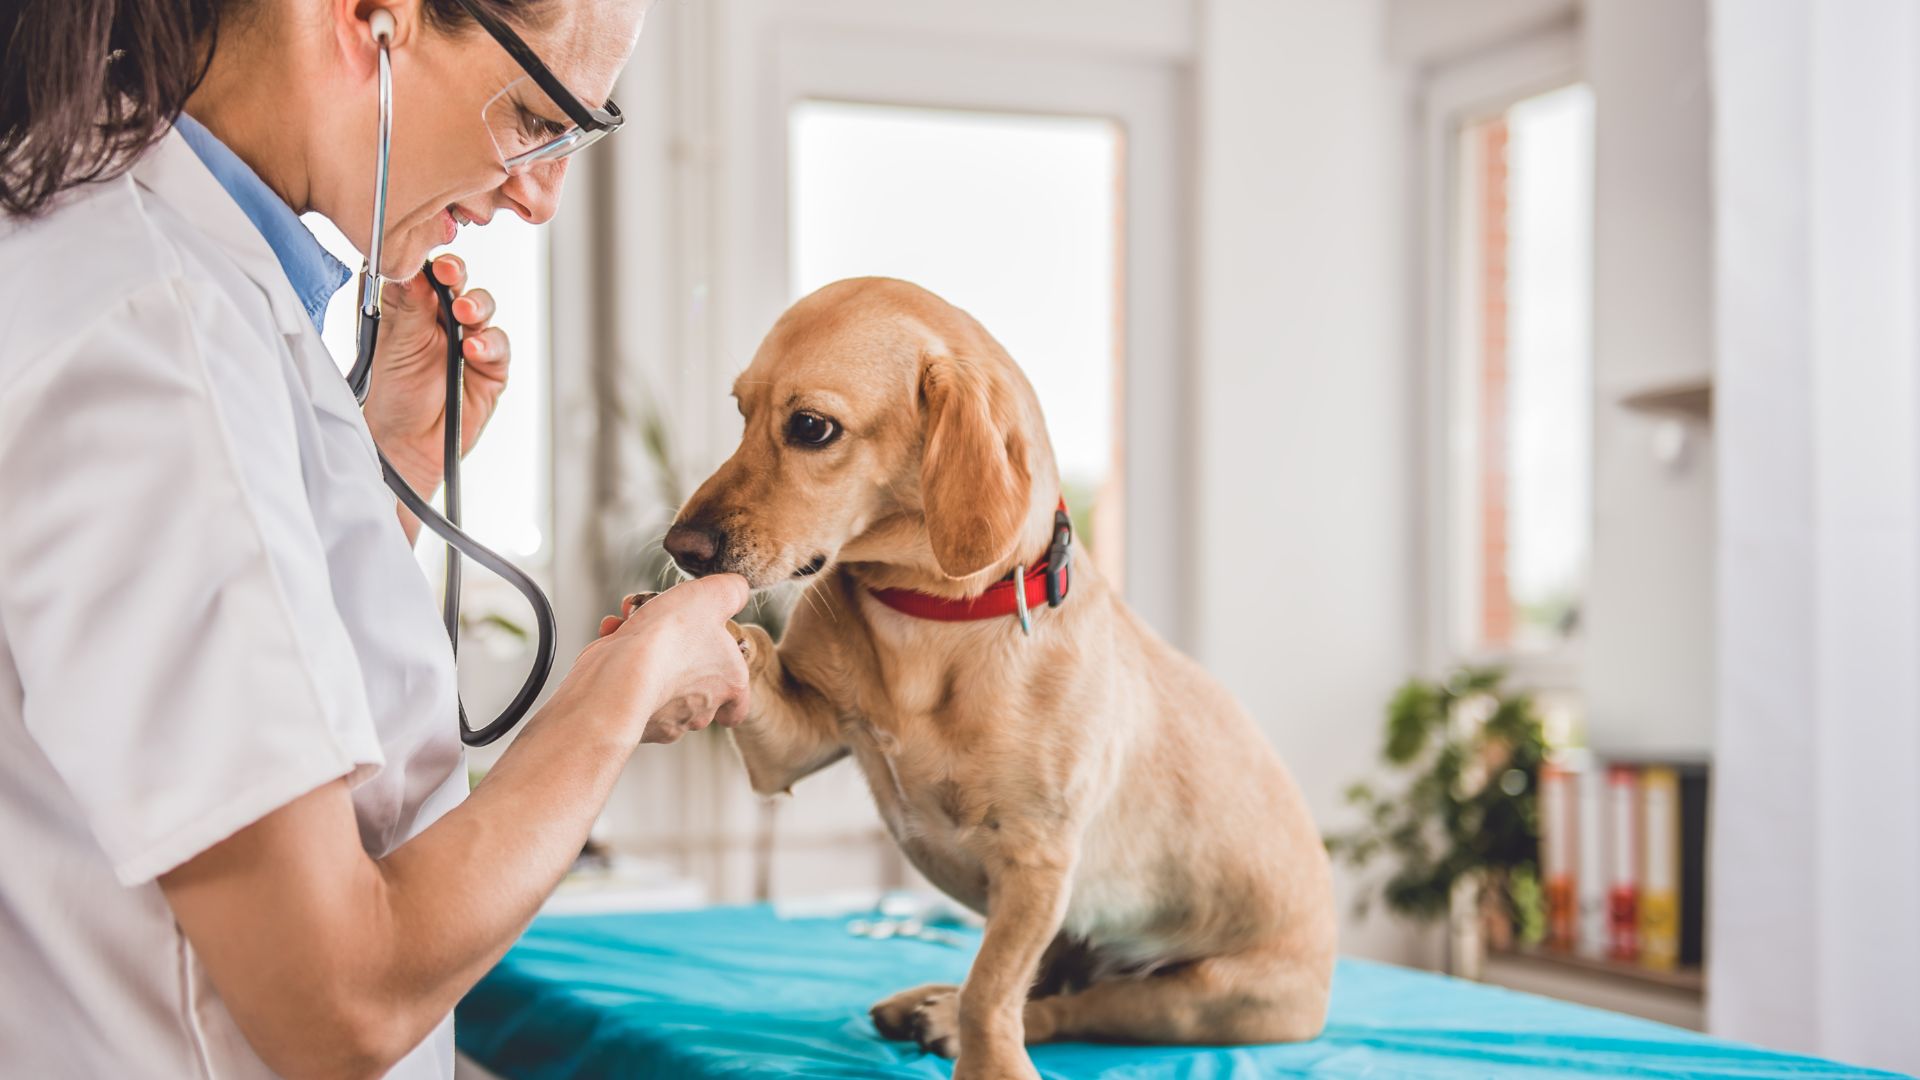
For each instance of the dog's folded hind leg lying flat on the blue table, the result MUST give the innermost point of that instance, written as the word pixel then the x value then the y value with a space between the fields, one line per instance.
pixel 1243 998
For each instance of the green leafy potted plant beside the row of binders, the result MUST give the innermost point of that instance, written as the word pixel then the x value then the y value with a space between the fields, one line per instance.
pixel 1458 822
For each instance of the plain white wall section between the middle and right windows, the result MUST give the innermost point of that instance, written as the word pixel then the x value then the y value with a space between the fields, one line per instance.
pixel 1305 387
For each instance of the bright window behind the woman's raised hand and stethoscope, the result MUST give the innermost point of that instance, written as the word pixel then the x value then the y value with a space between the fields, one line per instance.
pixel 508 503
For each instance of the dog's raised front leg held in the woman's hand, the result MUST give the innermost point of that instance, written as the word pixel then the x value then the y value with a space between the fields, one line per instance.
pixel 792 731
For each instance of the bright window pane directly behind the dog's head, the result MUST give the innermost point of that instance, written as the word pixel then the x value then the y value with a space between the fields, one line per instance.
pixel 942 199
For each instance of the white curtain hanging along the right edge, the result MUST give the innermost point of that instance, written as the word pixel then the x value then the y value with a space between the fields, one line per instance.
pixel 1817 841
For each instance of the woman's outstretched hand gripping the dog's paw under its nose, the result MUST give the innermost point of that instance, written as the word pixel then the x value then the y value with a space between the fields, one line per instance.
pixel 669 668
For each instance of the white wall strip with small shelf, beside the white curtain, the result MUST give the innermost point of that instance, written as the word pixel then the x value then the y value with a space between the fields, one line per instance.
pixel 1648 668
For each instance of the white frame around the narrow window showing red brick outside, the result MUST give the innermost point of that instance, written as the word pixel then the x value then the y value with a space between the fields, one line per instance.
pixel 1454 97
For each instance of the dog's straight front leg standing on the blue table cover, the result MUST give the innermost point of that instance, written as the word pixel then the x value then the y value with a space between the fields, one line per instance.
pixel 1026 900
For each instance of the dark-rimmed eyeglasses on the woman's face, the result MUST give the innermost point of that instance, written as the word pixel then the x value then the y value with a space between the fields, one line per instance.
pixel 521 116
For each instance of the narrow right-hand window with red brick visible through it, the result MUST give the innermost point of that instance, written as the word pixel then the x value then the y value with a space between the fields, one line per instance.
pixel 1522 376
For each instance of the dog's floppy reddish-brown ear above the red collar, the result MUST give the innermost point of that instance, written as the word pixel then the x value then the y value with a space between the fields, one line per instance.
pixel 974 468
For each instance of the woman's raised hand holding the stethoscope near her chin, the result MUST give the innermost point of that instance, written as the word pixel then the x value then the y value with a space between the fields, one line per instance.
pixel 408 397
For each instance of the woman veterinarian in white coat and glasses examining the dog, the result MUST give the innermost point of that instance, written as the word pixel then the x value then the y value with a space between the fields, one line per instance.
pixel 235 835
